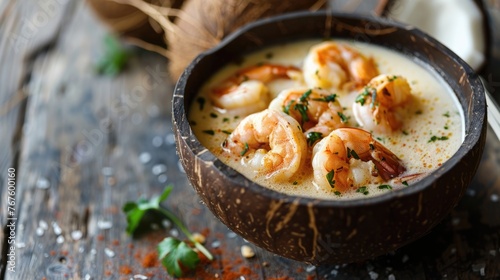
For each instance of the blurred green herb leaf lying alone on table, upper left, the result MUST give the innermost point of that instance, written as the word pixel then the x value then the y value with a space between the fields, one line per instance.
pixel 114 59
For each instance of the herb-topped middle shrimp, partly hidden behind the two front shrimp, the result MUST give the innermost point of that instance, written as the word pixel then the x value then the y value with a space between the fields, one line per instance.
pixel 317 110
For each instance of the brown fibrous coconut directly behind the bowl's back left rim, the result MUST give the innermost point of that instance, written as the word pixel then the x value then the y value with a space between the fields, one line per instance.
pixel 202 24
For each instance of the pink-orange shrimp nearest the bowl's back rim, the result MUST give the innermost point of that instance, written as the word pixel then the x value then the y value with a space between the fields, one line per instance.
pixel 331 65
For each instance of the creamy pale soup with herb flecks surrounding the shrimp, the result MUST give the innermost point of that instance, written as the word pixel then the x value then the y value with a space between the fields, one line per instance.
pixel 431 129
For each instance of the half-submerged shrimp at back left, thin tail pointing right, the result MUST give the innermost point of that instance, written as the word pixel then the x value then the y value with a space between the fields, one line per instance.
pixel 246 90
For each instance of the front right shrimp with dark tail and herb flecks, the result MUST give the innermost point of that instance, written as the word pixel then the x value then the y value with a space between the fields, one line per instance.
pixel 336 160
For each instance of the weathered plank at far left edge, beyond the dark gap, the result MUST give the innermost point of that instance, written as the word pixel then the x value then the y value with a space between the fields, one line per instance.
pixel 22 29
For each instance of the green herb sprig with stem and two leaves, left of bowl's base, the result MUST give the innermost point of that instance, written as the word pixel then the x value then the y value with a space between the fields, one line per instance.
pixel 175 255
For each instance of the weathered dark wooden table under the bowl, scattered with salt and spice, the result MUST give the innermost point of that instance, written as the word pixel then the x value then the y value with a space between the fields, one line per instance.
pixel 83 144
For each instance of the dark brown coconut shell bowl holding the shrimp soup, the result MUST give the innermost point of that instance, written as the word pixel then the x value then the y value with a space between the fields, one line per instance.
pixel 331 231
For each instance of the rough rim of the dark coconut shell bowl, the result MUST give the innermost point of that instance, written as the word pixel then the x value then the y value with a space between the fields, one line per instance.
pixel 475 113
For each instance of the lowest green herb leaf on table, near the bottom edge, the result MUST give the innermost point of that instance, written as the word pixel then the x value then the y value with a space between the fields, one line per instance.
pixel 176 255
